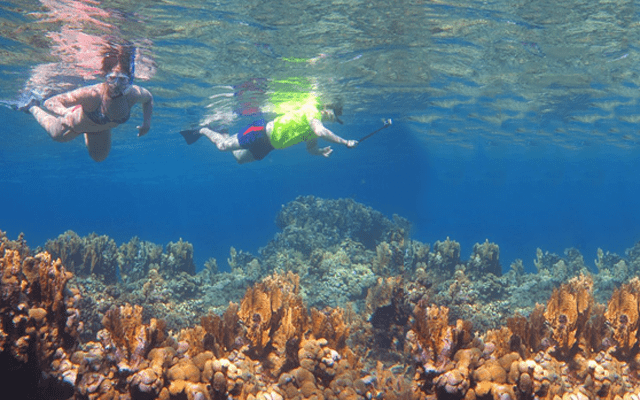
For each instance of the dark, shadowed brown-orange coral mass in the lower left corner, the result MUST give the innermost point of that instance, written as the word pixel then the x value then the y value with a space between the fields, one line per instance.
pixel 39 321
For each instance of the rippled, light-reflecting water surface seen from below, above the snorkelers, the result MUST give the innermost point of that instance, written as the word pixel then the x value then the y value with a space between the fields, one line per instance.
pixel 515 72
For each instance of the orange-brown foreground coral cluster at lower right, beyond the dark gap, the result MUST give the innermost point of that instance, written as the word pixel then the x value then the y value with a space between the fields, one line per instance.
pixel 559 352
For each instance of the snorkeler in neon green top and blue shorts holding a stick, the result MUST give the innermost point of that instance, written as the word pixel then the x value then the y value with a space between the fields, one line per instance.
pixel 303 123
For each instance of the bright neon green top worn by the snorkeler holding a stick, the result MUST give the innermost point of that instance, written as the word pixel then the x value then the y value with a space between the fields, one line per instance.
pixel 293 127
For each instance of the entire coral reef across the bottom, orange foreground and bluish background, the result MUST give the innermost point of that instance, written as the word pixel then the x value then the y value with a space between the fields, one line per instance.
pixel 340 305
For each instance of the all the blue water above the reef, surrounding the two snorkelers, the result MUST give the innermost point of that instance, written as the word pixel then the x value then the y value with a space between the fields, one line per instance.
pixel 503 129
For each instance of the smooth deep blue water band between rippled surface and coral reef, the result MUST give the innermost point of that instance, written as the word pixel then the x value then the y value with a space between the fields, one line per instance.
pixel 518 197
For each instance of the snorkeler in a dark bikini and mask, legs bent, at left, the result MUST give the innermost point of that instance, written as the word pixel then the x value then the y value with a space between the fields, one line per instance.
pixel 95 110
